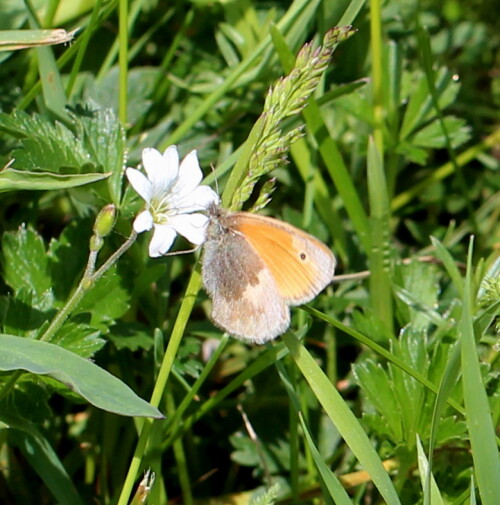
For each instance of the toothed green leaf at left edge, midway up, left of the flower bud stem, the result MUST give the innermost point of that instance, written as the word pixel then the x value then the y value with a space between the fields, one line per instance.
pixel 25 264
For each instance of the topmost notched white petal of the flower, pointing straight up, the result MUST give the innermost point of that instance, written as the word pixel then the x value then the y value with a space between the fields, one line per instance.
pixel 162 170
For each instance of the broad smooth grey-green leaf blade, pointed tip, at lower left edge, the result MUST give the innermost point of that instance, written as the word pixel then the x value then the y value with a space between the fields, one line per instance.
pixel 97 386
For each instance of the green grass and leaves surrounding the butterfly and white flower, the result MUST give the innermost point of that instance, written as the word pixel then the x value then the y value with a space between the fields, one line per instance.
pixel 386 388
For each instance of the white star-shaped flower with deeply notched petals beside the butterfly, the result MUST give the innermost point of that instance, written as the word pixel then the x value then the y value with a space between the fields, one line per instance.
pixel 174 198
